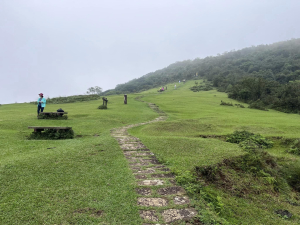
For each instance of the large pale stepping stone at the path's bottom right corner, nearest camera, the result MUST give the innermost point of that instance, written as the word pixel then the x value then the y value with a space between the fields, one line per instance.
pixel 171 215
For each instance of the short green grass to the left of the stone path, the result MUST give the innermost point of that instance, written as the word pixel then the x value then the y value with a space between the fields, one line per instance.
pixel 68 181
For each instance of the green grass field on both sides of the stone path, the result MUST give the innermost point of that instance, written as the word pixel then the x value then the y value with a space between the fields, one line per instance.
pixel 68 181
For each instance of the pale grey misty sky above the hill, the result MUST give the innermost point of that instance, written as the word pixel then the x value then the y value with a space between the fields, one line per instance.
pixel 63 47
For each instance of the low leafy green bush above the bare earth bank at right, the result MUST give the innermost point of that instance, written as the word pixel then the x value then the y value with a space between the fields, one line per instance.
pixel 249 140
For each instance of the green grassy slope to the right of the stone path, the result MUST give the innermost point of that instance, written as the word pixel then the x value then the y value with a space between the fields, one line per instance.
pixel 244 198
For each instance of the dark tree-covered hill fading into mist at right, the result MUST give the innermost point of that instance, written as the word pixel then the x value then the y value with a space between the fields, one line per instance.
pixel 264 74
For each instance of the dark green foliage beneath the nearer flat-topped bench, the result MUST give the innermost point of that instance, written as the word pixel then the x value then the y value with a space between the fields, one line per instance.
pixel 51 134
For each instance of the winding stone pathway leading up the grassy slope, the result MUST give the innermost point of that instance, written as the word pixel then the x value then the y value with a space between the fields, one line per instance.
pixel 160 200
